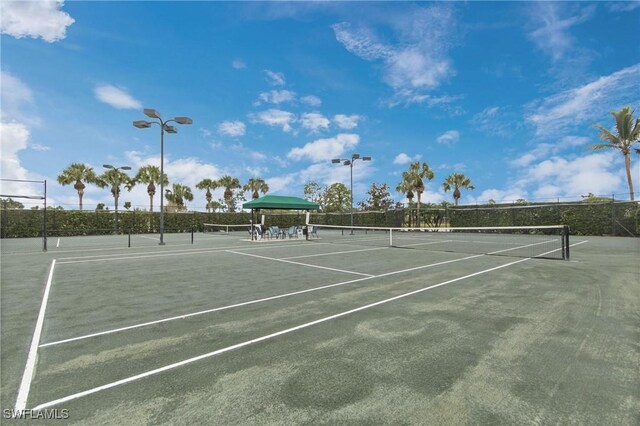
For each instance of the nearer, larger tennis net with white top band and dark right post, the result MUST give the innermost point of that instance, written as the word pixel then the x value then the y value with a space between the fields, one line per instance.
pixel 550 242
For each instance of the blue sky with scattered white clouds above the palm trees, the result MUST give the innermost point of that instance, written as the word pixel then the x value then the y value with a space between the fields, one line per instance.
pixel 505 92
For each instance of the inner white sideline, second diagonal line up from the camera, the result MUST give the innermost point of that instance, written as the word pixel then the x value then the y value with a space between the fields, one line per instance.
pixel 251 302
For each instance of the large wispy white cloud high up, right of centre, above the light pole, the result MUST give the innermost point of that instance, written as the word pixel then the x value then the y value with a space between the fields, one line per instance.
pixel 417 62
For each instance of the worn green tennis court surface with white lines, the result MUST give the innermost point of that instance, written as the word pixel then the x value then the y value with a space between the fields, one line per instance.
pixel 226 330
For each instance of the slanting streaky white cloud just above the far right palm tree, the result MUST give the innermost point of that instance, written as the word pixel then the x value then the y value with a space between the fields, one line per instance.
pixel 587 104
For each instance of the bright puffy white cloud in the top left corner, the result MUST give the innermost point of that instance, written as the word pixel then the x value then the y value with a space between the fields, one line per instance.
pixel 35 19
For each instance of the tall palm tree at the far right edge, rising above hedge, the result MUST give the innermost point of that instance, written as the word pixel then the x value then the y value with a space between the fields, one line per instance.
pixel 627 134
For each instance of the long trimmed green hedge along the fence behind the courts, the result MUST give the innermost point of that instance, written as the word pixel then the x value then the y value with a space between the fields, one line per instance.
pixel 620 218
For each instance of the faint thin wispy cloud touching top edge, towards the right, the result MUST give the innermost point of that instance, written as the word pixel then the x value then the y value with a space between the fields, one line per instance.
pixel 552 35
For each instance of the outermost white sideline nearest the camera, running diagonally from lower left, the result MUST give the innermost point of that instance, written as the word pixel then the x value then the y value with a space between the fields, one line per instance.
pixel 259 339
